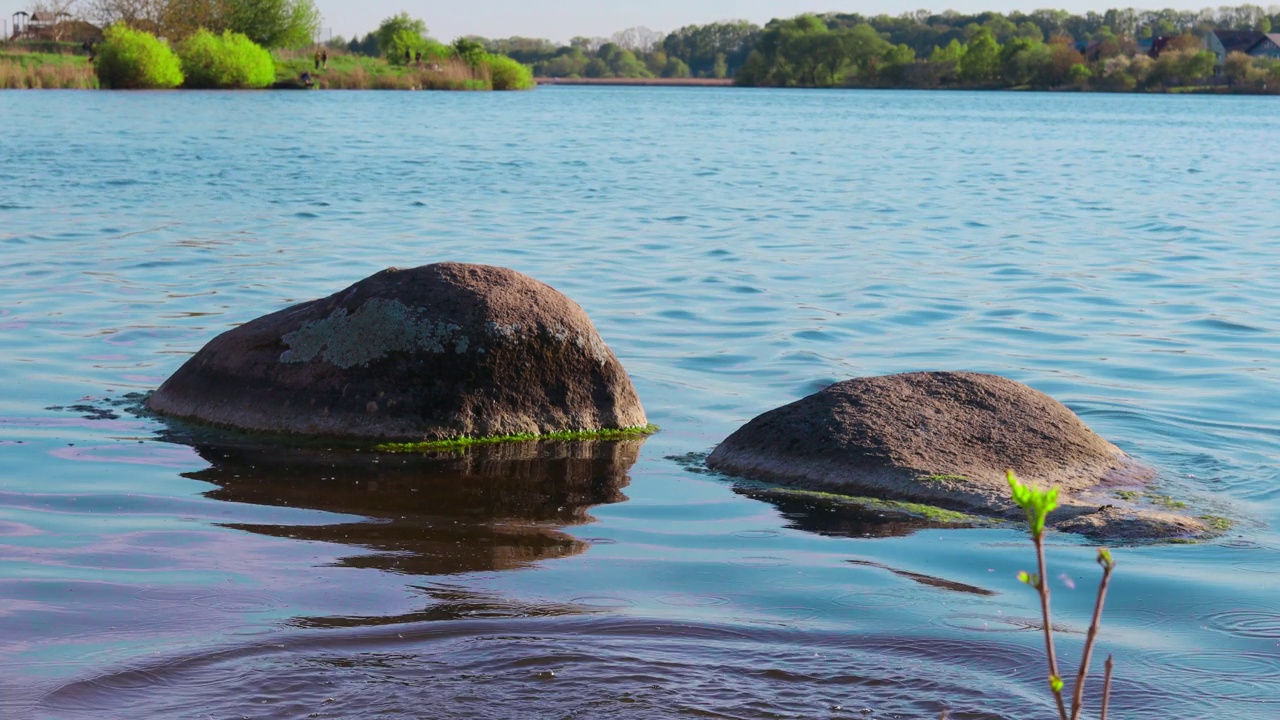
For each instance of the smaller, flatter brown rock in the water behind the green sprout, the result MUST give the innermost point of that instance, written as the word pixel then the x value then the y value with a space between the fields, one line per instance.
pixel 947 440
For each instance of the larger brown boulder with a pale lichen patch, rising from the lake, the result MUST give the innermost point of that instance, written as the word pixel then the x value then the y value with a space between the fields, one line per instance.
pixel 435 353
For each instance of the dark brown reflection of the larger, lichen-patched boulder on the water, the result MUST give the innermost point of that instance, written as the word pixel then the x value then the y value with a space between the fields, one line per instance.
pixel 490 508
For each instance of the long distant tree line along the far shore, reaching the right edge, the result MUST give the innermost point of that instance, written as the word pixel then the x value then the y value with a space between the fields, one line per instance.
pixel 921 49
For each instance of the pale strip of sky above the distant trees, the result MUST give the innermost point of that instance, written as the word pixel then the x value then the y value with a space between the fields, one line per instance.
pixel 561 20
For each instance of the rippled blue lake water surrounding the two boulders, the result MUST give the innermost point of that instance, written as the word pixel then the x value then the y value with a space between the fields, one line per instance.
pixel 738 250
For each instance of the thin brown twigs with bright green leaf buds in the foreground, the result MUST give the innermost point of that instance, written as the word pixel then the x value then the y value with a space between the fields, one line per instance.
pixel 1039 504
